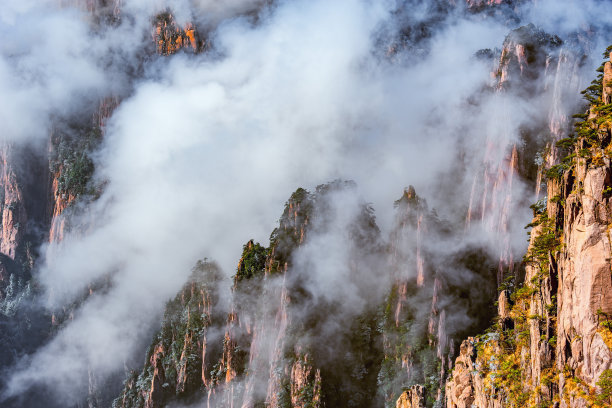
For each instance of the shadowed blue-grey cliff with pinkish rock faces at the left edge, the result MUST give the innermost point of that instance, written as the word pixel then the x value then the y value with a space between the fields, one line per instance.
pixel 38 187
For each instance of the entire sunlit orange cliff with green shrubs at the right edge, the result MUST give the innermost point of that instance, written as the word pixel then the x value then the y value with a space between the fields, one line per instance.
pixel 551 344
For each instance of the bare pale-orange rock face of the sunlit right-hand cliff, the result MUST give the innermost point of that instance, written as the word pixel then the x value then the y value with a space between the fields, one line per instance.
pixel 585 280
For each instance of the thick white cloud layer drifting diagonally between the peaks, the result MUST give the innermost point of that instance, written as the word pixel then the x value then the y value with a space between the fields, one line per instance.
pixel 204 150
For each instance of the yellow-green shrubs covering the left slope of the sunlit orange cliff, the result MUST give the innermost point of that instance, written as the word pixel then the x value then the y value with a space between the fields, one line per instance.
pixel 501 351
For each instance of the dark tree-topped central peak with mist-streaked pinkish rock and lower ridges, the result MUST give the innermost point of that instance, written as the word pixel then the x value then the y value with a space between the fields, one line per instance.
pixel 278 346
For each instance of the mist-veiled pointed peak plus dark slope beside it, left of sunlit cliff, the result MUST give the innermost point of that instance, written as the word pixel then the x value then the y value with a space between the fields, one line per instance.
pixel 418 341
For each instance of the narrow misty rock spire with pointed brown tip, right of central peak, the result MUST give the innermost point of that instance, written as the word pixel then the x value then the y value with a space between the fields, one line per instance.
pixel 413 324
